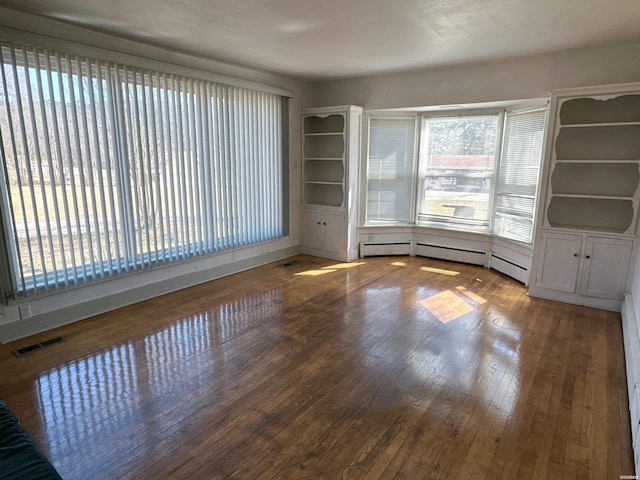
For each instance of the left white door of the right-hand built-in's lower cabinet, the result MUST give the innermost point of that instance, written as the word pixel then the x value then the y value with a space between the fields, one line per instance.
pixel 559 261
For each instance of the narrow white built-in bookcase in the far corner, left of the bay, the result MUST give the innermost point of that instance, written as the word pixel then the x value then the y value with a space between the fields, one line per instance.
pixel 330 155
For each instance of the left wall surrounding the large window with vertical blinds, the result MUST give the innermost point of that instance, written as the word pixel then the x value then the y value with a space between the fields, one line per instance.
pixel 72 305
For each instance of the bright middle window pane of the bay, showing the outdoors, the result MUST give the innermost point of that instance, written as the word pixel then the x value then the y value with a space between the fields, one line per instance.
pixel 457 171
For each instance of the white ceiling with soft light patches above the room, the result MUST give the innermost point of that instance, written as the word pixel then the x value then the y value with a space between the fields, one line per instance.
pixel 343 38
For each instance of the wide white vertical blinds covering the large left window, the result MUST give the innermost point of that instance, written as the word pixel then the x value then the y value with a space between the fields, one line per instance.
pixel 111 168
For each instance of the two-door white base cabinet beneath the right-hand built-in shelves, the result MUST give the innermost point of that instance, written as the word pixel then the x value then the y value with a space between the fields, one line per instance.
pixel 572 267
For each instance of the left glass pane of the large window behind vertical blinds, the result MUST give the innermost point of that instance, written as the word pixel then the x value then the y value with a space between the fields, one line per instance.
pixel 56 124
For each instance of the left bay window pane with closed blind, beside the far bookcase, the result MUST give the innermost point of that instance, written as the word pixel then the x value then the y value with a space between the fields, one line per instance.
pixel 390 169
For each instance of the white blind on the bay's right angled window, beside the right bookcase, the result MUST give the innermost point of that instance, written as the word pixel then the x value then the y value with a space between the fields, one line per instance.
pixel 518 175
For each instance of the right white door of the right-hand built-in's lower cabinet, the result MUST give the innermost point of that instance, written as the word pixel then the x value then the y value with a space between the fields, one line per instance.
pixel 606 264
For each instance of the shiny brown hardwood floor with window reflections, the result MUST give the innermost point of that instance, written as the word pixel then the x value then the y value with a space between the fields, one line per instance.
pixel 390 367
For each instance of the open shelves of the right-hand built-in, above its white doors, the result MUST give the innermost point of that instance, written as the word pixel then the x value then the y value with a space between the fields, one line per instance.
pixel 594 178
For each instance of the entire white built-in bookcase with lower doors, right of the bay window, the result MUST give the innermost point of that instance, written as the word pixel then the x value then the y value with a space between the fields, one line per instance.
pixel 589 207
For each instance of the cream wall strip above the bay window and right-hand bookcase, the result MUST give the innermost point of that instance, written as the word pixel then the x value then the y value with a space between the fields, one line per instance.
pixel 511 79
